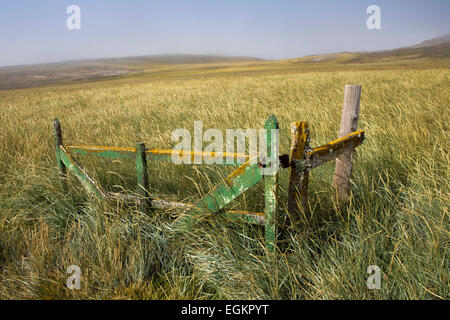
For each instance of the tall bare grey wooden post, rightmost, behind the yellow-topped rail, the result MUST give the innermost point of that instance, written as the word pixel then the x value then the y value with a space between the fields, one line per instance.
pixel 349 124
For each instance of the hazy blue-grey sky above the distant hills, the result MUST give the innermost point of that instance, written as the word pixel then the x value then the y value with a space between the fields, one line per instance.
pixel 35 31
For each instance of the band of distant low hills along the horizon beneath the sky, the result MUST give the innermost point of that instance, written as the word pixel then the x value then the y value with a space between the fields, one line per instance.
pixel 434 53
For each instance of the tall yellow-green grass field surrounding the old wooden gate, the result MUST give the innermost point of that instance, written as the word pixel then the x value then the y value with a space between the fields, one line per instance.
pixel 397 217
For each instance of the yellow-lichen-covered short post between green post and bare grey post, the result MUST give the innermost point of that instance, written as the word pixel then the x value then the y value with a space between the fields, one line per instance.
pixel 298 182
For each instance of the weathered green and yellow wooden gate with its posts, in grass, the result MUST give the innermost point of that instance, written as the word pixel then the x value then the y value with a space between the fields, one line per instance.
pixel 301 160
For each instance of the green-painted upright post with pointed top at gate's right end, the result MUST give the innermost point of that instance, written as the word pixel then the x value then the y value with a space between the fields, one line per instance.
pixel 271 187
